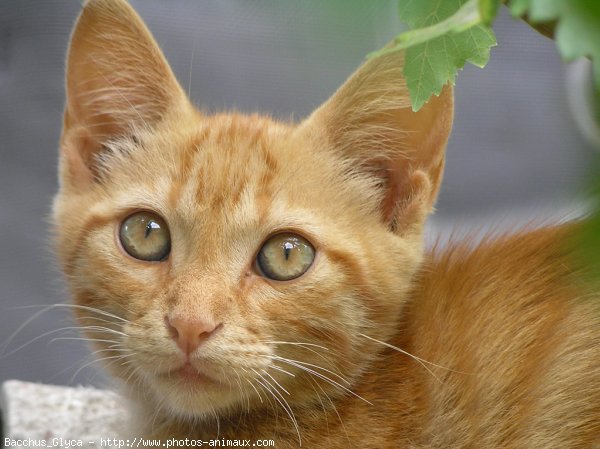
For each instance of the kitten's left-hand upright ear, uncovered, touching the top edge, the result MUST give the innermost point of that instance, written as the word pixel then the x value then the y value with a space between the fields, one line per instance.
pixel 117 81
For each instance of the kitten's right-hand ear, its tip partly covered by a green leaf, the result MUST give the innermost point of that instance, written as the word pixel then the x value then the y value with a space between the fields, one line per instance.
pixel 369 120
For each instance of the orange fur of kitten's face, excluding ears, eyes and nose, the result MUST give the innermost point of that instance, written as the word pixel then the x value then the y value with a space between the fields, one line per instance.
pixel 224 187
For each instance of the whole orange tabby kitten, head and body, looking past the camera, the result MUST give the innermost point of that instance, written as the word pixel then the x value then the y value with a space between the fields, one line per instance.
pixel 252 279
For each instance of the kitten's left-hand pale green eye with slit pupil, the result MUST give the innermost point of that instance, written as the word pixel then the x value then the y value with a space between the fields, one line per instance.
pixel 145 236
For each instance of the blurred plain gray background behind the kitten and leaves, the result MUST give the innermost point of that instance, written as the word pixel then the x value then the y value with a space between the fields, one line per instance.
pixel 516 152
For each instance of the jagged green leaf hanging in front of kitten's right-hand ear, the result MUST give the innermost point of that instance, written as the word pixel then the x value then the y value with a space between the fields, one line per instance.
pixel 431 64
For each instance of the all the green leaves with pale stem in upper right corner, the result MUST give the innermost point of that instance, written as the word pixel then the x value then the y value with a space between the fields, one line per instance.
pixel 445 34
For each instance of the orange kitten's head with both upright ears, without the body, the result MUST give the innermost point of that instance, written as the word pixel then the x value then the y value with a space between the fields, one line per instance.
pixel 346 181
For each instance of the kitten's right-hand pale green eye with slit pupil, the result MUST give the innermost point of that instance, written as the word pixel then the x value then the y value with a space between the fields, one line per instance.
pixel 285 256
